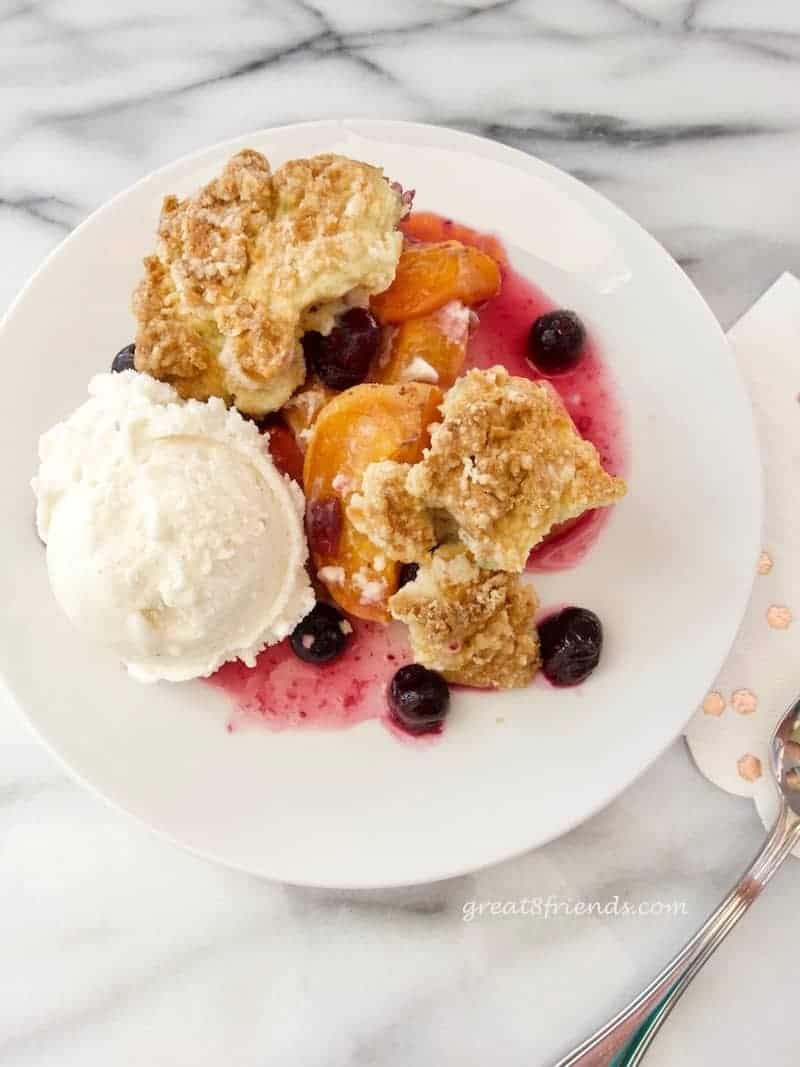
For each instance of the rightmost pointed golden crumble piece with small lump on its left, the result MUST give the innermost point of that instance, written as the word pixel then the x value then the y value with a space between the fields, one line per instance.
pixel 505 466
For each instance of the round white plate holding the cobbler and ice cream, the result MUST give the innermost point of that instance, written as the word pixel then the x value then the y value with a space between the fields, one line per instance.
pixel 669 578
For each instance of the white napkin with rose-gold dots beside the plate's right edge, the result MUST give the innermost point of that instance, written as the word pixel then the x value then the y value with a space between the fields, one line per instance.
pixel 730 732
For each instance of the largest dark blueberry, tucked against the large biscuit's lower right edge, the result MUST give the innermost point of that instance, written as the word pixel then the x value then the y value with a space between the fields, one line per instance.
pixel 342 359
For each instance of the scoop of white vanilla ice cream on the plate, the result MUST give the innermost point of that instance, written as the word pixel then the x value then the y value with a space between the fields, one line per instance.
pixel 171 536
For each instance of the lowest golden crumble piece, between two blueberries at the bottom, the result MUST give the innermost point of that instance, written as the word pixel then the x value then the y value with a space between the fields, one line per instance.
pixel 476 627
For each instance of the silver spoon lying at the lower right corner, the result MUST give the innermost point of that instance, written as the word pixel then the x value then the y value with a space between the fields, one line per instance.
pixel 625 1041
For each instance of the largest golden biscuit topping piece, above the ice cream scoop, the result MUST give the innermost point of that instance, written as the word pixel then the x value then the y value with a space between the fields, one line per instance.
pixel 251 262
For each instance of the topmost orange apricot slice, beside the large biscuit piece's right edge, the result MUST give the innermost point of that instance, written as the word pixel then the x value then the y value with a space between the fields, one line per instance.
pixel 431 276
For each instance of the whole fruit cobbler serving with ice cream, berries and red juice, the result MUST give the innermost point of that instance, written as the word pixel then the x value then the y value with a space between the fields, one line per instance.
pixel 343 435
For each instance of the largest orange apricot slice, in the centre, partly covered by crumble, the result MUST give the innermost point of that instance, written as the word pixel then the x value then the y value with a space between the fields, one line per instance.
pixel 362 426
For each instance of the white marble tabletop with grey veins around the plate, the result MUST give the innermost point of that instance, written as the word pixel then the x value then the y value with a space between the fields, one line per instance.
pixel 118 948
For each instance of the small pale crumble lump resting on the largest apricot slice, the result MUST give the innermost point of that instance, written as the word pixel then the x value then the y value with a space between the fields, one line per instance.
pixel 396 522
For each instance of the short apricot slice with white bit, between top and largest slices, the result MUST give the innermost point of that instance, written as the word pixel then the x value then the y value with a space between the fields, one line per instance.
pixel 428 349
